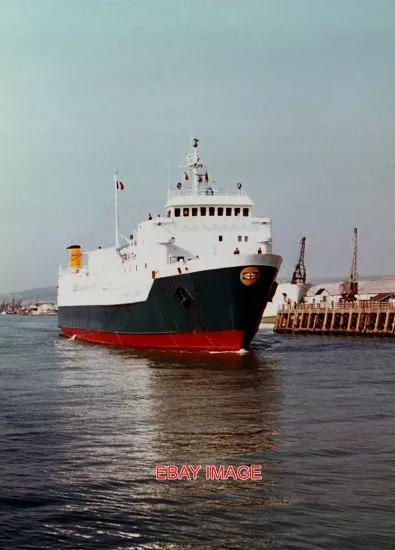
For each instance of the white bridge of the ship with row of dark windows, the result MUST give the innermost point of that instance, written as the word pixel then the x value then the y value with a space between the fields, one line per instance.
pixel 208 201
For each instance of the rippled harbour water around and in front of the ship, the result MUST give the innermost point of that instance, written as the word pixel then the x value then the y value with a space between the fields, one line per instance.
pixel 82 428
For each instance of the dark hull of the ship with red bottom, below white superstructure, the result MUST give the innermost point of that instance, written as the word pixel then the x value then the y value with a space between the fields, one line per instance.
pixel 206 302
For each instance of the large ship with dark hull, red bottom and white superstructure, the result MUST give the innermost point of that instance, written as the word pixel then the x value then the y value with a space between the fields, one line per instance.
pixel 196 278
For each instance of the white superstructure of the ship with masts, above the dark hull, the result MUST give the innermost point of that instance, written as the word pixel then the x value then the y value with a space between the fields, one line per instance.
pixel 205 227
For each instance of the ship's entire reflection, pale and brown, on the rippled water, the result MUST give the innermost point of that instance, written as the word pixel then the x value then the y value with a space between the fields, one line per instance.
pixel 131 411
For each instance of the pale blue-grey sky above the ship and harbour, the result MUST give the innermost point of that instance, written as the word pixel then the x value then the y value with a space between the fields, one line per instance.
pixel 294 98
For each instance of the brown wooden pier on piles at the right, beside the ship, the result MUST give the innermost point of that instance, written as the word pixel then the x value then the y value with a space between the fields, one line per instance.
pixel 357 318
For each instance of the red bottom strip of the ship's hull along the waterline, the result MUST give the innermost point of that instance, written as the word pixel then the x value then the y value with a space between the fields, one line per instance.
pixel 226 340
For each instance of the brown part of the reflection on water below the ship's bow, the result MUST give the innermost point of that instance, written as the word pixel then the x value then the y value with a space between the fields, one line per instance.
pixel 214 409
